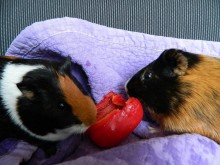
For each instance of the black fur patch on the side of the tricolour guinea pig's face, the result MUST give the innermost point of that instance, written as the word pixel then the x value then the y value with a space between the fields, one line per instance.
pixel 49 111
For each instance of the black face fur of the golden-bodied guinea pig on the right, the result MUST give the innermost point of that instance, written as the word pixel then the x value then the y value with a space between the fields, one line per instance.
pixel 157 86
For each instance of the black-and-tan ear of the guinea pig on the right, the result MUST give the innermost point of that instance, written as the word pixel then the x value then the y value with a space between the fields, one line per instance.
pixel 176 63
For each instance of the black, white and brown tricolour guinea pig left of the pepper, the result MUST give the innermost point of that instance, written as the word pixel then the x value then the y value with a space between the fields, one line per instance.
pixel 41 102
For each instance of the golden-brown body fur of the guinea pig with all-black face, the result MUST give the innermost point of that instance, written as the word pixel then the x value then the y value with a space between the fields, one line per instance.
pixel 200 113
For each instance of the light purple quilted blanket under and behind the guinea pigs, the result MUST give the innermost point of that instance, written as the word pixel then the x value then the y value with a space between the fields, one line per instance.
pixel 109 57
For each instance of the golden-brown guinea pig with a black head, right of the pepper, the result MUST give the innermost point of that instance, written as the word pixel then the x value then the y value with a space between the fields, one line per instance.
pixel 181 91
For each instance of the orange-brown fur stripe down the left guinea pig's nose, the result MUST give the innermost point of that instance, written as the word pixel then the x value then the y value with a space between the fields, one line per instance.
pixel 82 106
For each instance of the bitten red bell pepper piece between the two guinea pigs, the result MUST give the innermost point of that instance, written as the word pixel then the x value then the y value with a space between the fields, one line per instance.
pixel 116 119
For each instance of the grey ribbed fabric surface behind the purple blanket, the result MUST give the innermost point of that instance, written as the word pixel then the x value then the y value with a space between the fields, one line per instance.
pixel 192 19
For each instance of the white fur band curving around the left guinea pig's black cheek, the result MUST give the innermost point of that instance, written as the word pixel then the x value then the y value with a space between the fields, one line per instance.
pixel 13 74
